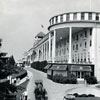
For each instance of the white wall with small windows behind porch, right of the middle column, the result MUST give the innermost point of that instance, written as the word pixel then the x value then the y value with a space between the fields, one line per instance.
pixel 81 49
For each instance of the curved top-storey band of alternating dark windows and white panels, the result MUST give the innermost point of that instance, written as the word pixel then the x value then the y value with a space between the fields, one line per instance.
pixel 75 16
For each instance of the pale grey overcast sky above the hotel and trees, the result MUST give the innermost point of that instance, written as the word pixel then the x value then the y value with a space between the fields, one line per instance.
pixel 21 20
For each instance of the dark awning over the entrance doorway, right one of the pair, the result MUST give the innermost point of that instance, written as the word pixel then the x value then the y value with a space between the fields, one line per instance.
pixel 80 68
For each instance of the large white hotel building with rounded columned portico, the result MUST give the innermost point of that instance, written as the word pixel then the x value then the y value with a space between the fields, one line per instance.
pixel 73 39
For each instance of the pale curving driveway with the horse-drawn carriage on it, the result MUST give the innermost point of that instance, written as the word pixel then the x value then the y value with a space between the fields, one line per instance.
pixel 56 91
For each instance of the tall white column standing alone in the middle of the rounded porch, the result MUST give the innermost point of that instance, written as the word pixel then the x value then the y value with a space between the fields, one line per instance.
pixel 70 45
